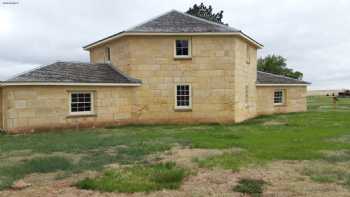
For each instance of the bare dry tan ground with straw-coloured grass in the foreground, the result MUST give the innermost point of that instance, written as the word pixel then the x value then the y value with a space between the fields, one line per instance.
pixel 284 178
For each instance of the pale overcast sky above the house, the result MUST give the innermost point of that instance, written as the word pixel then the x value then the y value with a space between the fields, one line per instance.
pixel 313 35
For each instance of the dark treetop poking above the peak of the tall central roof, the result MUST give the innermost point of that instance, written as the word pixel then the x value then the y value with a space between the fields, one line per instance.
pixel 205 12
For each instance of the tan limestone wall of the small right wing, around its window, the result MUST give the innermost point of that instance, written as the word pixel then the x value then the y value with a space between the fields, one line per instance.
pixel 295 100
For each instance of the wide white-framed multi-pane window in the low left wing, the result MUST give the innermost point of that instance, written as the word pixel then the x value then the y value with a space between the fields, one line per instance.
pixel 81 103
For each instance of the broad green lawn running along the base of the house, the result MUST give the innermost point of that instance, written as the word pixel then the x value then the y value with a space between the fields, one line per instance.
pixel 302 136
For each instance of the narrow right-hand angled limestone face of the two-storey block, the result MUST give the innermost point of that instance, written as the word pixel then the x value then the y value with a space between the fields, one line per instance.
pixel 245 80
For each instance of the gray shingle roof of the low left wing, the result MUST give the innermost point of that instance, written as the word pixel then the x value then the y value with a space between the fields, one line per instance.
pixel 74 72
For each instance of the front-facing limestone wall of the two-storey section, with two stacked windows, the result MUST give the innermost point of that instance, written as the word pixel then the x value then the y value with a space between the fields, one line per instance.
pixel 209 71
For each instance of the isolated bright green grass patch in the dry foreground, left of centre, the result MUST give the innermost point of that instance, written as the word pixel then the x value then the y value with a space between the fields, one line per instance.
pixel 139 178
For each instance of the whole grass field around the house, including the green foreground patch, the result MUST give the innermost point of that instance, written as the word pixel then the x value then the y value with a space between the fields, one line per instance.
pixel 296 136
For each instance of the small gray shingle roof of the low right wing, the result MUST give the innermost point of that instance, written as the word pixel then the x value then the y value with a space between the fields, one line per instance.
pixel 268 78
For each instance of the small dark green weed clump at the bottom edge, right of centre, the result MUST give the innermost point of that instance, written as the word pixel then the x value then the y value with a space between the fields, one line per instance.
pixel 250 186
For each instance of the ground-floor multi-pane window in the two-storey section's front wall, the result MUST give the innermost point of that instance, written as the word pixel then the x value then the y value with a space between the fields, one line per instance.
pixel 183 96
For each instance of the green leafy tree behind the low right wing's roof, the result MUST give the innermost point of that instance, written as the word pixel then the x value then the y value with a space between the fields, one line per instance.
pixel 277 65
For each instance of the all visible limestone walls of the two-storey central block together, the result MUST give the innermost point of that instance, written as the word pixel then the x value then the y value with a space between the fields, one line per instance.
pixel 218 72
